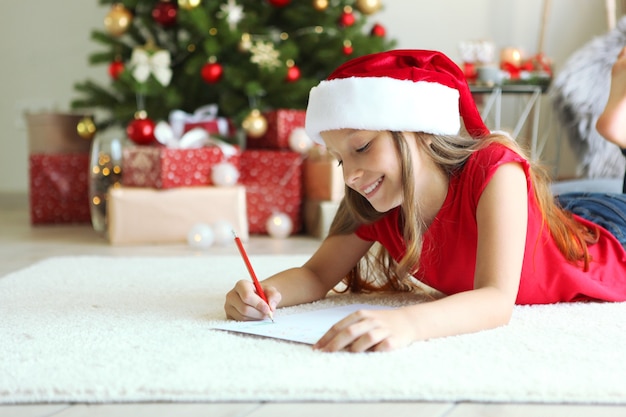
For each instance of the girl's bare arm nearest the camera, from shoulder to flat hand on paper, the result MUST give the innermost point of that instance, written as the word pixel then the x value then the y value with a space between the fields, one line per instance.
pixel 502 218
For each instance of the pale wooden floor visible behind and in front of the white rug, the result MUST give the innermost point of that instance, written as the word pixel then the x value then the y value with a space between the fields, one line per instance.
pixel 22 244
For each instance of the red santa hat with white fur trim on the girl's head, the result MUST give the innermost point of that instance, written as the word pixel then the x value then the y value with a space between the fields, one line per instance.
pixel 400 90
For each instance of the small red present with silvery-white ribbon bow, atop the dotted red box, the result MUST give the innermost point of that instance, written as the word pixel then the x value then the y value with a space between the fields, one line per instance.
pixel 204 117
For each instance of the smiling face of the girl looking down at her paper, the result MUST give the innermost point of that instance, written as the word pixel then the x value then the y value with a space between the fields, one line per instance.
pixel 371 165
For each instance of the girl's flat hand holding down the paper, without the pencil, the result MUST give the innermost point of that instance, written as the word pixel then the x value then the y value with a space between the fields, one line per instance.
pixel 369 330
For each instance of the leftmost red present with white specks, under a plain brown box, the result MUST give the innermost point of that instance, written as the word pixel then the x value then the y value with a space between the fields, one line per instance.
pixel 59 188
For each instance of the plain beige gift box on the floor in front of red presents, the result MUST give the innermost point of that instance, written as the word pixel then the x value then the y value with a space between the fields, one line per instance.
pixel 151 216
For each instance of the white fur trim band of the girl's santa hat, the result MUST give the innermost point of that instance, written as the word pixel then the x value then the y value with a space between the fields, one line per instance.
pixel 382 103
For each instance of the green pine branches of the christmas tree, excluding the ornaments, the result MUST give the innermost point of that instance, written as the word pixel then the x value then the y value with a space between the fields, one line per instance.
pixel 203 33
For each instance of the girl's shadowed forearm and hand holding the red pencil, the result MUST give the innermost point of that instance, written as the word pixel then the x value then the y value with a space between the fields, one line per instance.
pixel 332 261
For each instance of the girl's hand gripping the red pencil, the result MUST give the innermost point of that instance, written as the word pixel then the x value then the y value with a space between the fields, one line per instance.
pixel 244 304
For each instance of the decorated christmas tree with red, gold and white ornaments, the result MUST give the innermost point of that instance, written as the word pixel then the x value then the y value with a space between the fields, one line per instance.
pixel 243 55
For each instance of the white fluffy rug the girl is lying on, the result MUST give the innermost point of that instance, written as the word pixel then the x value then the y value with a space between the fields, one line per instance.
pixel 98 329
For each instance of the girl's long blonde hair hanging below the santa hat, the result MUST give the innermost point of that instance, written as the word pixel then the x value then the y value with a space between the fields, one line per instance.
pixel 380 272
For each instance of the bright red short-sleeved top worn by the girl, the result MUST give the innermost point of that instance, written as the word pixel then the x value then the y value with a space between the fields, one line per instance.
pixel 449 252
